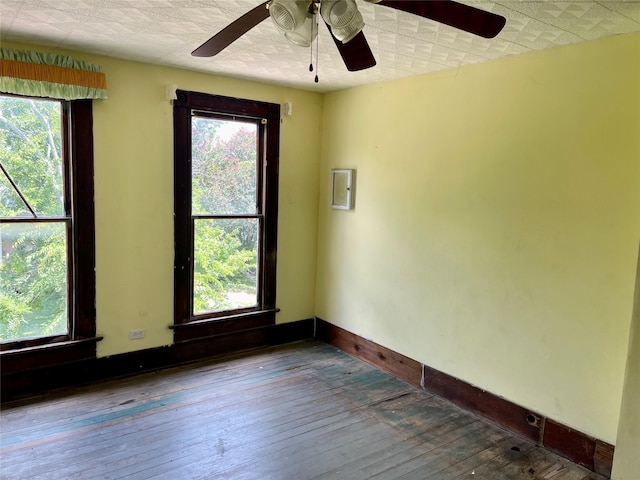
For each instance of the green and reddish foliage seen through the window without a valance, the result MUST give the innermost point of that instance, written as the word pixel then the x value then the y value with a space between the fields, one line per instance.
pixel 224 183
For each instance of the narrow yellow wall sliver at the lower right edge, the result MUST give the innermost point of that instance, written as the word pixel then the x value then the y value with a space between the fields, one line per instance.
pixel 626 462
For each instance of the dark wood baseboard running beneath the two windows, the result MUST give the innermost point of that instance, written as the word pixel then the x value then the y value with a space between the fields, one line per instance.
pixel 19 383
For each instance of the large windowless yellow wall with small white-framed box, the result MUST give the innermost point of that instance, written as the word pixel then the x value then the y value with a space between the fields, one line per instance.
pixel 496 224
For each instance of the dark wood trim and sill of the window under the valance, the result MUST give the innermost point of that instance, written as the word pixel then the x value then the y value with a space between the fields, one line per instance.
pixel 80 343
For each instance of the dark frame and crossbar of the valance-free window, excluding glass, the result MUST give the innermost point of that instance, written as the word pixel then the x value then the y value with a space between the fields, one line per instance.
pixel 267 117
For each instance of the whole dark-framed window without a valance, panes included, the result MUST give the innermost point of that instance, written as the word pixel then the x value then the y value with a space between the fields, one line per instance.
pixel 226 188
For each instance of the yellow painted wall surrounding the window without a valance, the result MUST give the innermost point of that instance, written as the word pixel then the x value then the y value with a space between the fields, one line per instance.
pixel 133 140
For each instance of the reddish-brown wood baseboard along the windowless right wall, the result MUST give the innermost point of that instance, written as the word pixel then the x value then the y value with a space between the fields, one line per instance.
pixel 580 448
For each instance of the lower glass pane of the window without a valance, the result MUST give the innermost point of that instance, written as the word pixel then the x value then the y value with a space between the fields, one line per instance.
pixel 225 264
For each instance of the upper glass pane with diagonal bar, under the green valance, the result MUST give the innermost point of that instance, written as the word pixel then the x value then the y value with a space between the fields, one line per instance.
pixel 31 153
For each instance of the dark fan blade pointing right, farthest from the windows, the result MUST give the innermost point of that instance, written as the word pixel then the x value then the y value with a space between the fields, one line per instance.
pixel 464 17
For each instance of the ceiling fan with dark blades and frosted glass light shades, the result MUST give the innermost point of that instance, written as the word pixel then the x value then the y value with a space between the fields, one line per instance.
pixel 298 19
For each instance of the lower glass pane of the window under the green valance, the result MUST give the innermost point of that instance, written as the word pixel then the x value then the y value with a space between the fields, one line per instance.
pixel 33 280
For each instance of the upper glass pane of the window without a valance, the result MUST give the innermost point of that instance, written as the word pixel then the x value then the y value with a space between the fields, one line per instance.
pixel 223 166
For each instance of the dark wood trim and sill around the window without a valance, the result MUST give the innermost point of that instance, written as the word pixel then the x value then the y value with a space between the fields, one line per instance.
pixel 186 325
